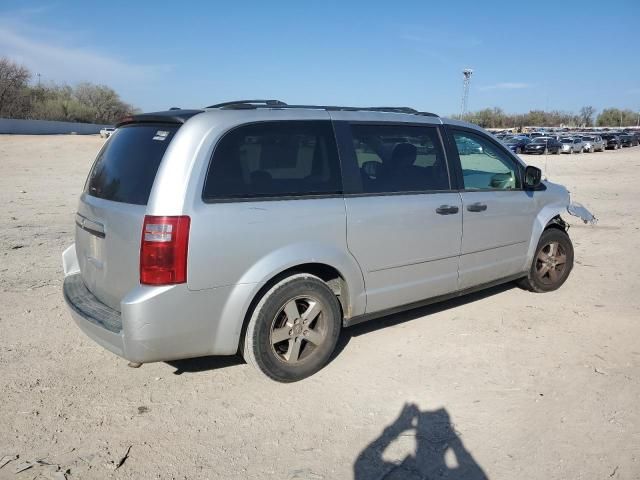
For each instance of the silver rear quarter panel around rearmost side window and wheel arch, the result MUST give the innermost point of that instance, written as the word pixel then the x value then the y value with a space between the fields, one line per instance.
pixel 243 243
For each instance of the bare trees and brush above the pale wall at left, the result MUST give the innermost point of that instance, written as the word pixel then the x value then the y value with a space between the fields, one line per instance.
pixel 84 102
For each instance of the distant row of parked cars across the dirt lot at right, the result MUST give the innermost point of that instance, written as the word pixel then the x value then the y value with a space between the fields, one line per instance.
pixel 578 142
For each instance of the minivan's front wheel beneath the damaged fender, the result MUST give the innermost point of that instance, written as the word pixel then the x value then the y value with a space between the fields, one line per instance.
pixel 552 262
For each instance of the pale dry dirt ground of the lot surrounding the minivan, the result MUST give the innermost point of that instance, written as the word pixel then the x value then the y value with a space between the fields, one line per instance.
pixel 506 383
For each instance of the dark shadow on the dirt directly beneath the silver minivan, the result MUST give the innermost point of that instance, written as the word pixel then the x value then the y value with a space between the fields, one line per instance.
pixel 201 364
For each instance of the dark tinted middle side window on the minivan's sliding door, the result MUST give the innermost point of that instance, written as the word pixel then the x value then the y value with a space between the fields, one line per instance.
pixel 399 158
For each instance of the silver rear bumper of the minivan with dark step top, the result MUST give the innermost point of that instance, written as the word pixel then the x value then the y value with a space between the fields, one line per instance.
pixel 155 323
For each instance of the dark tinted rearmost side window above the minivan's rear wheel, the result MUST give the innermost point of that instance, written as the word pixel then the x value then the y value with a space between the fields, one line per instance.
pixel 274 159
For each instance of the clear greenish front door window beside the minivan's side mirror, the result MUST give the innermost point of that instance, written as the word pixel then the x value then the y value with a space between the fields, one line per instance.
pixel 484 165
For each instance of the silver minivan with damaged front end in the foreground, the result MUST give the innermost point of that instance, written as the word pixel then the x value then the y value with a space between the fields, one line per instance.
pixel 264 228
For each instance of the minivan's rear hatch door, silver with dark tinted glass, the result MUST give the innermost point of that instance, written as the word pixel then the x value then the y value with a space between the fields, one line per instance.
pixel 112 208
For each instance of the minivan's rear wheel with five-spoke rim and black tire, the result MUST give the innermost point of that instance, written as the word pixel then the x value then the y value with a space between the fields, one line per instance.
pixel 293 329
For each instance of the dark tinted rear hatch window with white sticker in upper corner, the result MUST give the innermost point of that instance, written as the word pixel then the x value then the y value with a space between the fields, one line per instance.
pixel 126 166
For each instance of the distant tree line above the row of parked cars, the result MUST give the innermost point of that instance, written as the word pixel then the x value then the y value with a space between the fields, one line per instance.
pixel 609 117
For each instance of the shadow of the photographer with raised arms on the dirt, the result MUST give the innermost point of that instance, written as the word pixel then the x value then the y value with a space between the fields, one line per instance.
pixel 439 451
